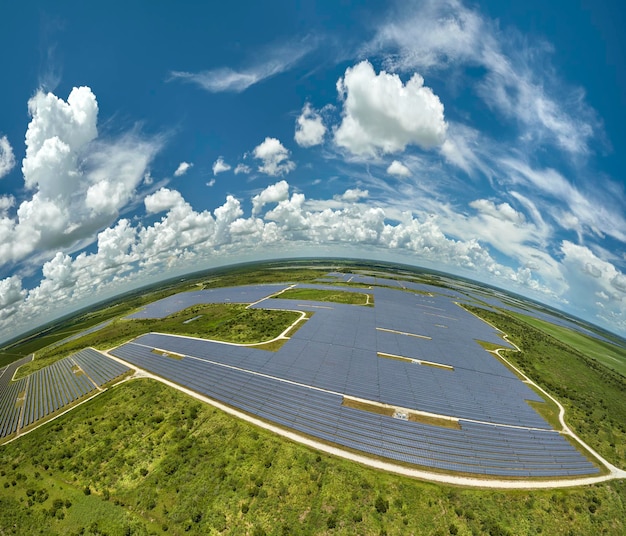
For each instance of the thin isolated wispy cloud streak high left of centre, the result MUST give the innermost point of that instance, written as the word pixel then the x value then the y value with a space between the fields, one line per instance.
pixel 277 60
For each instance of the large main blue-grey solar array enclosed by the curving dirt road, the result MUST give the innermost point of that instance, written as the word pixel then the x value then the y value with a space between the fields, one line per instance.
pixel 414 352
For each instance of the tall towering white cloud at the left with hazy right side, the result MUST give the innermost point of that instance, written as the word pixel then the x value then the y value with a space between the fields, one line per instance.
pixel 79 182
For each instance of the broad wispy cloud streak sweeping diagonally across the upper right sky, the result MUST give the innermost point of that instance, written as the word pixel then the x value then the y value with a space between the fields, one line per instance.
pixel 518 81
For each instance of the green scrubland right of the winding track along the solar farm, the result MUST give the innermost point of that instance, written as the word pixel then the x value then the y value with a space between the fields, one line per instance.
pixel 592 394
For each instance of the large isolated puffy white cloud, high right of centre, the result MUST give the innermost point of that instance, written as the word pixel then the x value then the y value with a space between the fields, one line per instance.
pixel 381 114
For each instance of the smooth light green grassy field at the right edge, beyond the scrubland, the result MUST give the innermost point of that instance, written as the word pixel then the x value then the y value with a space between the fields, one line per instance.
pixel 610 355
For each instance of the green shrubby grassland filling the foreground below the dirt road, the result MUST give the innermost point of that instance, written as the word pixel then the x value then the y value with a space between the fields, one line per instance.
pixel 143 459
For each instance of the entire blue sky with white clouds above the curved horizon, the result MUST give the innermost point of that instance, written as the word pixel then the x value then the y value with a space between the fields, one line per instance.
pixel 142 140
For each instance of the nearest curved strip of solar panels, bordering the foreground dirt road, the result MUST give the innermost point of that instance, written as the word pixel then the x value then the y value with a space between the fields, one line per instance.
pixel 480 449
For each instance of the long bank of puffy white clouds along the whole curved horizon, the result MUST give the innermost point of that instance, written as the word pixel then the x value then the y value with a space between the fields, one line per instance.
pixel 184 239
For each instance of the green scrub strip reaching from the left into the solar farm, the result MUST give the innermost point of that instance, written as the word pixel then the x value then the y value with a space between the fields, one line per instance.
pixel 226 322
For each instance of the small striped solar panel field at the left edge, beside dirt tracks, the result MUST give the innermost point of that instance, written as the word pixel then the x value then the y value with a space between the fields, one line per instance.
pixel 50 389
